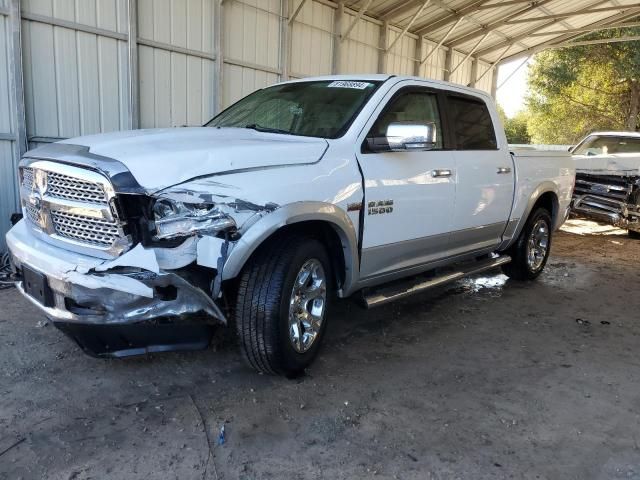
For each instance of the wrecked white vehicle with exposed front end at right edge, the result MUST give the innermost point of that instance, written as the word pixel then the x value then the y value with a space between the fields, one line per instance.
pixel 608 179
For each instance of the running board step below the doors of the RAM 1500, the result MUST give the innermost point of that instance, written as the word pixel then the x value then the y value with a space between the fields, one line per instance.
pixel 397 291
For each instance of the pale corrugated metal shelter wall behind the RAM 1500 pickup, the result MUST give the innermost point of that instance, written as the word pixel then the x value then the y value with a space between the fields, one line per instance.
pixel 83 72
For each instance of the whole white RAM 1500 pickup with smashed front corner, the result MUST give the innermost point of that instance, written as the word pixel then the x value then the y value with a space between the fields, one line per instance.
pixel 145 240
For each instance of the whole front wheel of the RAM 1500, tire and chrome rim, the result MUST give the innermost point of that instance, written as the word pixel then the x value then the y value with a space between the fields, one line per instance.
pixel 282 303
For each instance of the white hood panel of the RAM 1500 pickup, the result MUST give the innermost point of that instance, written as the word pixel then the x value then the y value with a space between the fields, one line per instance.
pixel 160 158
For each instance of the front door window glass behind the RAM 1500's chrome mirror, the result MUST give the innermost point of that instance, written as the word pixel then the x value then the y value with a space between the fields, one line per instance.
pixel 412 107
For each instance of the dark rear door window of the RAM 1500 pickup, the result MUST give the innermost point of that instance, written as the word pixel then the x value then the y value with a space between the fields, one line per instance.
pixel 472 125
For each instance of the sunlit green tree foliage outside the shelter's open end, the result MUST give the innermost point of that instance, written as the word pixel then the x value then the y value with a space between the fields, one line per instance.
pixel 574 91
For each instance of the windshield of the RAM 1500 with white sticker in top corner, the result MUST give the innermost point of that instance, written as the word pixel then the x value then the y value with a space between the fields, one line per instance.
pixel 314 109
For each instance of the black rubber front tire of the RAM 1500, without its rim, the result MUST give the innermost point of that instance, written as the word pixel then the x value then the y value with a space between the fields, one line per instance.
pixel 263 302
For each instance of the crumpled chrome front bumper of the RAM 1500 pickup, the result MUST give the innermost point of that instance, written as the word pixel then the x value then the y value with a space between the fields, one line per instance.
pixel 108 313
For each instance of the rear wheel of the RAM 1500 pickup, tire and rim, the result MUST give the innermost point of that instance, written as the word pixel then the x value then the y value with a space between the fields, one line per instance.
pixel 530 252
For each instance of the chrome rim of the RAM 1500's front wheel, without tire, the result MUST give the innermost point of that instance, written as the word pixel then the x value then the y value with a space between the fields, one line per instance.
pixel 307 305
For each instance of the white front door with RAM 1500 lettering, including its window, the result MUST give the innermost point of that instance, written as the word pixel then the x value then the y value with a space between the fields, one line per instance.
pixel 409 195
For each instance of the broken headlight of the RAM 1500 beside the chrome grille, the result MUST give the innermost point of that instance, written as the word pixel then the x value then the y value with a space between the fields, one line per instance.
pixel 175 219
